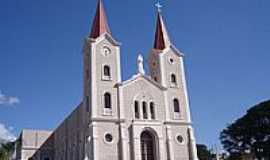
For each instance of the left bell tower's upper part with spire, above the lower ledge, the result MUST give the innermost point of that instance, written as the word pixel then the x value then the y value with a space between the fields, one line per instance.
pixel 101 68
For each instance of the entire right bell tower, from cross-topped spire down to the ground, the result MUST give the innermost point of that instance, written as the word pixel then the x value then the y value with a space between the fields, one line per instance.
pixel 166 65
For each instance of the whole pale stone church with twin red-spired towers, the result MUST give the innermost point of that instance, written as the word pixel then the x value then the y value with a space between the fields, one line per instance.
pixel 146 117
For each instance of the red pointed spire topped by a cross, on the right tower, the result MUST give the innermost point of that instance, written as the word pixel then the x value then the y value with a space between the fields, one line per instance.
pixel 162 39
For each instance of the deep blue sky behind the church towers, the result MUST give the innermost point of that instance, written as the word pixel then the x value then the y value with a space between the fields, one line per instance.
pixel 226 44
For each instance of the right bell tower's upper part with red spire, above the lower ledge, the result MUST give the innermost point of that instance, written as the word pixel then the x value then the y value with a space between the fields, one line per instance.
pixel 166 67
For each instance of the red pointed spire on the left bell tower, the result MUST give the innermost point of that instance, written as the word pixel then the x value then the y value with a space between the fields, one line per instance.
pixel 100 24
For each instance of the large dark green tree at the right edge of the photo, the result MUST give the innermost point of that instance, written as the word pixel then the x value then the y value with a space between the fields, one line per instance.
pixel 249 134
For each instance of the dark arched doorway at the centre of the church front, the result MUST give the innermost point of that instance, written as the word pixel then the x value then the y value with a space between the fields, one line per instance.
pixel 148 146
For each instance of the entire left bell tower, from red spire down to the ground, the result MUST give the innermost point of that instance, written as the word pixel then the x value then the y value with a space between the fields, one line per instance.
pixel 101 74
